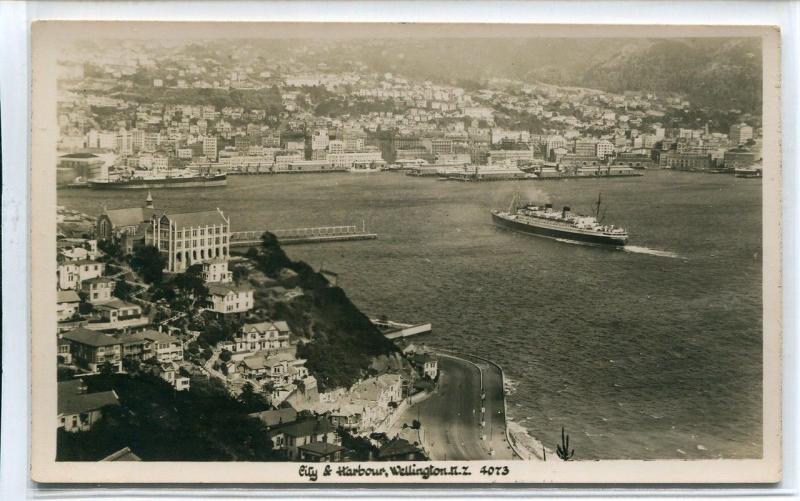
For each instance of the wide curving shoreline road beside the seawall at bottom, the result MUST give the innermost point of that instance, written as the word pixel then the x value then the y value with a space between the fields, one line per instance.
pixel 451 417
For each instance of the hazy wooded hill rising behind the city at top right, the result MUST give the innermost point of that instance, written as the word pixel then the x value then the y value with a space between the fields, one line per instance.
pixel 720 73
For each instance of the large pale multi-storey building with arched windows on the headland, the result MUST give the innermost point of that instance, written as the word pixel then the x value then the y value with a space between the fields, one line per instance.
pixel 190 237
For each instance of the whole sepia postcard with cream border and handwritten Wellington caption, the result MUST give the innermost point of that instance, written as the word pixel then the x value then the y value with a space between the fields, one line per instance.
pixel 442 253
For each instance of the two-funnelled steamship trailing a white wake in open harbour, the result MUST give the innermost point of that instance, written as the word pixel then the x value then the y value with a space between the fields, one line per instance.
pixel 545 221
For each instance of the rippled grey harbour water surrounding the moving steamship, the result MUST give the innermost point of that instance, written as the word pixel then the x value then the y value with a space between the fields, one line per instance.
pixel 649 353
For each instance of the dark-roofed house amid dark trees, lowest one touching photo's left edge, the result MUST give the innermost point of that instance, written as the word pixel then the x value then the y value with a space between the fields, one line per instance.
pixel 79 410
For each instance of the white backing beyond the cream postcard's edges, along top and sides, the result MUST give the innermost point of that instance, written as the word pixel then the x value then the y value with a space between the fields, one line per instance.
pixel 599 11
